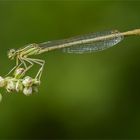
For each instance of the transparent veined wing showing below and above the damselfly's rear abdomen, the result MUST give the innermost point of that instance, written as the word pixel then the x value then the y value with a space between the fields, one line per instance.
pixel 95 45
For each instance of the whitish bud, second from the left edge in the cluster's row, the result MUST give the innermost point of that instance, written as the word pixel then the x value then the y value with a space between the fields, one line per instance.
pixel 11 85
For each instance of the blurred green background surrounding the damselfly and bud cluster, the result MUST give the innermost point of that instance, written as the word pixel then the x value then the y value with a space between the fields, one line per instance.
pixel 81 96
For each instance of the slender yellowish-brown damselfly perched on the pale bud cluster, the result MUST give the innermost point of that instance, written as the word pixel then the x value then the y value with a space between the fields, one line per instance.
pixel 80 44
